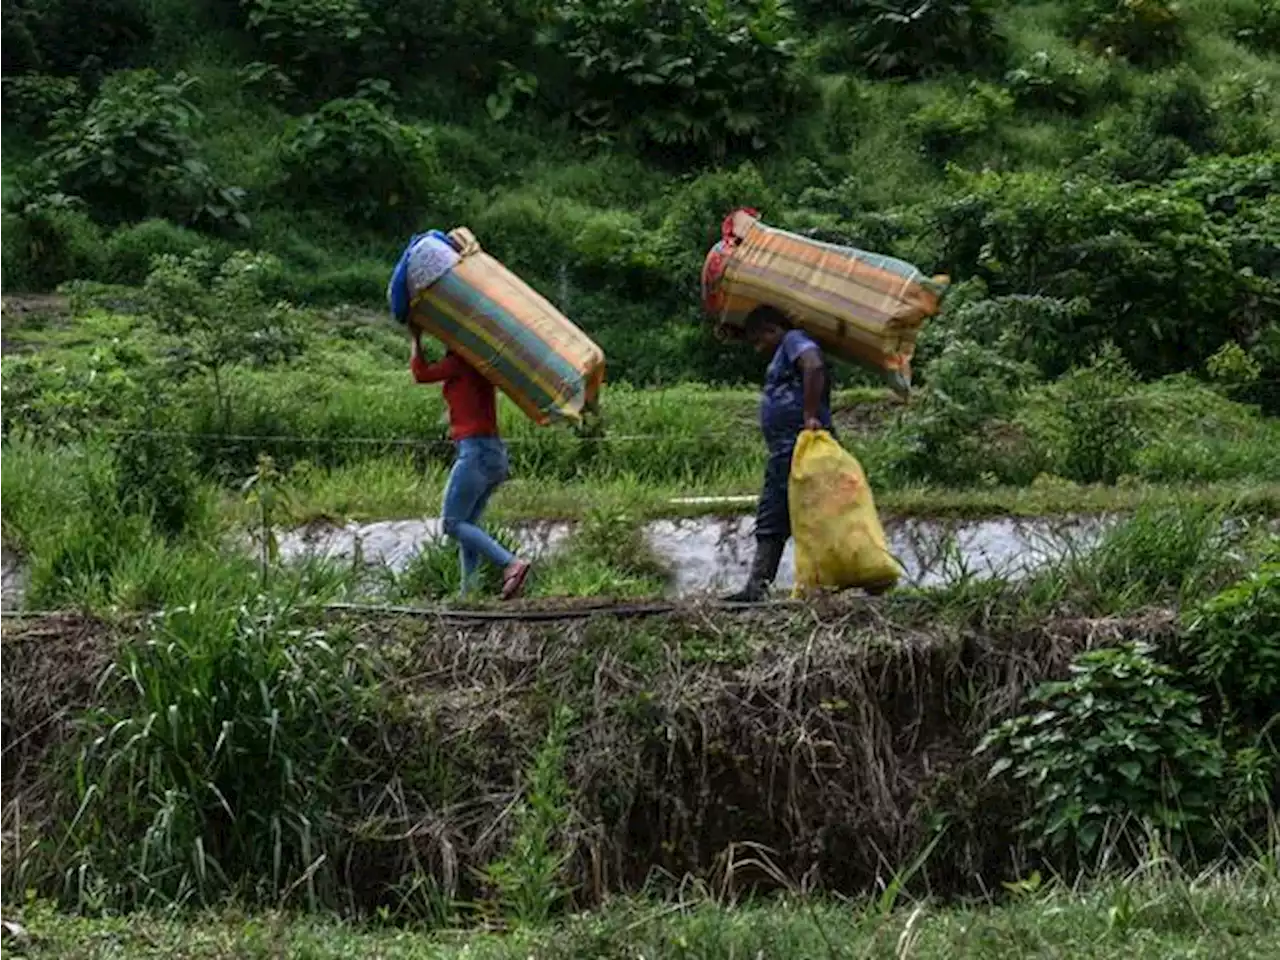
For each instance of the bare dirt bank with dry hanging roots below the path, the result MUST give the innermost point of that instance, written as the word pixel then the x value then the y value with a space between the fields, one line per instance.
pixel 817 747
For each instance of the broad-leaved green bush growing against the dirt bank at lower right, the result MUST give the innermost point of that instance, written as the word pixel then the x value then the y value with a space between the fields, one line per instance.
pixel 1117 744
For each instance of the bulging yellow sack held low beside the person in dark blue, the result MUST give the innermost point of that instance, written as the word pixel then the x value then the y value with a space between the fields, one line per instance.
pixel 840 542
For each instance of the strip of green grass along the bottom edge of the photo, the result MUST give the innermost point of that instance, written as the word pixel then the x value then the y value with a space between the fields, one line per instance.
pixel 1144 918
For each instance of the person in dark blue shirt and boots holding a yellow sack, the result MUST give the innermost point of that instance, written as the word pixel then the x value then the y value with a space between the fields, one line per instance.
pixel 797 397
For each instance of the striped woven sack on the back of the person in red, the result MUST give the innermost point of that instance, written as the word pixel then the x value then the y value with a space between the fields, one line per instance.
pixel 514 336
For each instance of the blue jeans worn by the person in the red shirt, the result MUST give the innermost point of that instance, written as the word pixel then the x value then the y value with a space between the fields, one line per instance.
pixel 482 468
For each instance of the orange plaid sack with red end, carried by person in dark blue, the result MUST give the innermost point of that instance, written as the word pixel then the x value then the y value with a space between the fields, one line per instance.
pixel 862 308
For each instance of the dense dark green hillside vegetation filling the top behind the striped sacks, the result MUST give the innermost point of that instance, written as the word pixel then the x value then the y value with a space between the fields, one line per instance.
pixel 1103 172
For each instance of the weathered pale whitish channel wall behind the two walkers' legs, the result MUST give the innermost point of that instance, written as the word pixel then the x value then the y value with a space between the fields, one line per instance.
pixel 712 555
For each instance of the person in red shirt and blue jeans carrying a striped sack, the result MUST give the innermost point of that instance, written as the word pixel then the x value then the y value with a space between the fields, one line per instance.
pixel 482 465
